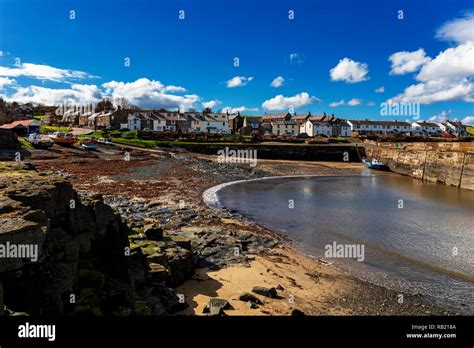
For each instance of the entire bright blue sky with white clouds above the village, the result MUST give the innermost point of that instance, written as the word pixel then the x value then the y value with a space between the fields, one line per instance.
pixel 341 57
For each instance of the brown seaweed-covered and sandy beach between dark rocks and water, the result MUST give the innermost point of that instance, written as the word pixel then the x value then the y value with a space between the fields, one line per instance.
pixel 315 287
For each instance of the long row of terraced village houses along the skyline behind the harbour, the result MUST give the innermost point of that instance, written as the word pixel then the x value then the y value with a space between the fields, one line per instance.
pixel 270 123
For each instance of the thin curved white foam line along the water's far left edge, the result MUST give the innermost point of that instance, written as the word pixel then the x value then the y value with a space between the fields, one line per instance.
pixel 210 195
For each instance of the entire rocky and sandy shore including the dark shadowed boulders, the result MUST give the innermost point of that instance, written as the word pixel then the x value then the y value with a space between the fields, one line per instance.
pixel 134 238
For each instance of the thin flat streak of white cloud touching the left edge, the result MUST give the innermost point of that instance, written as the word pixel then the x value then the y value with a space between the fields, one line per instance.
pixel 43 72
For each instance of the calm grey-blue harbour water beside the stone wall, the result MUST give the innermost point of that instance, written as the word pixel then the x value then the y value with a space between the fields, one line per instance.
pixel 409 248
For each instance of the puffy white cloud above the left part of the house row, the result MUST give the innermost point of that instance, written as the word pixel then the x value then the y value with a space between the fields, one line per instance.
pixel 151 94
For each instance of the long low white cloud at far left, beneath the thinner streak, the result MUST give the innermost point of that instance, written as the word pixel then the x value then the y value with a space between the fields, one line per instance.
pixel 77 94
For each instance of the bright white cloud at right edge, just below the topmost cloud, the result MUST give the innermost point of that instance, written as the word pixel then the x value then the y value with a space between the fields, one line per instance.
pixel 457 62
